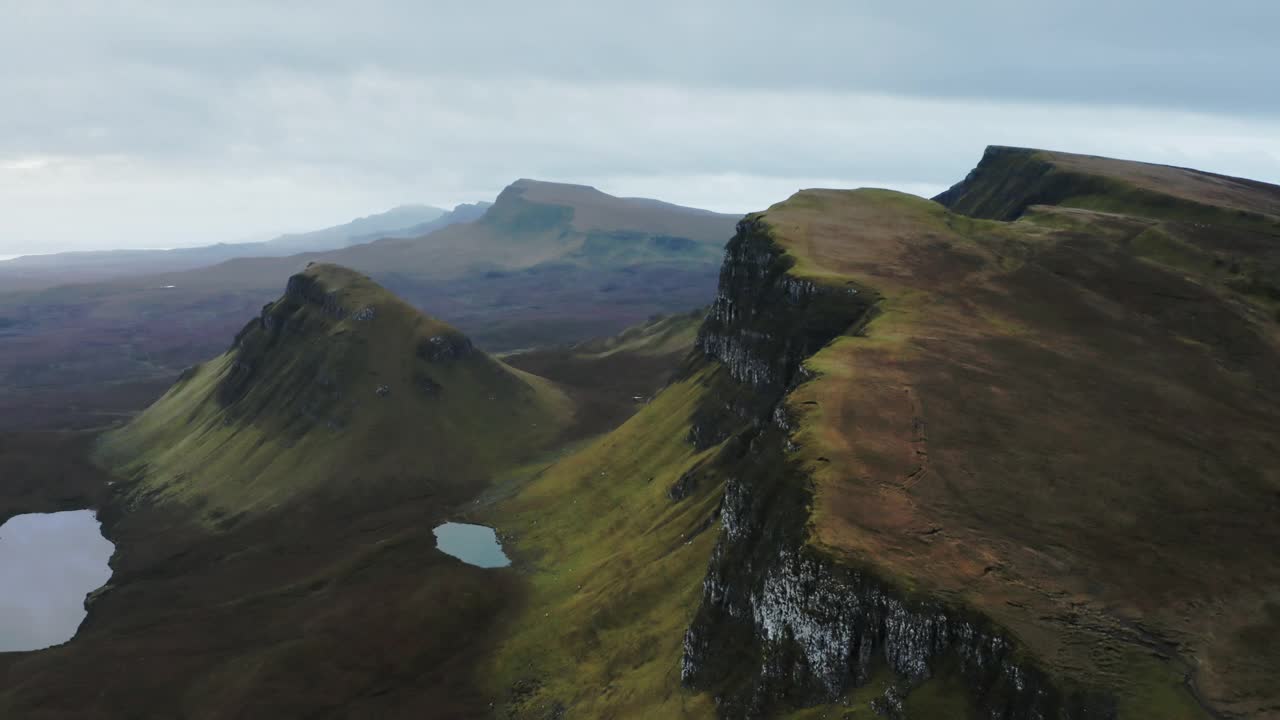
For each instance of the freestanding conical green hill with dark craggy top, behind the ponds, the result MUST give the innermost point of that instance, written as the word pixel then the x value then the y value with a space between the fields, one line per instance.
pixel 341 388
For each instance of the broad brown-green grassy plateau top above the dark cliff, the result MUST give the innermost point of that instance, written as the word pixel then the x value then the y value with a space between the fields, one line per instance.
pixel 1067 422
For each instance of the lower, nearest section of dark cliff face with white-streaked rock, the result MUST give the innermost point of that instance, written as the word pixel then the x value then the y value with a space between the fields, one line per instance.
pixel 783 625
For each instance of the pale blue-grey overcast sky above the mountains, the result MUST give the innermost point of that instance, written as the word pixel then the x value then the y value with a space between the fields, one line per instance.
pixel 164 125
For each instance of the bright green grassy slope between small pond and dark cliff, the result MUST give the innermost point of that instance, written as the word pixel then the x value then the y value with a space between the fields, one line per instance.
pixel 615 571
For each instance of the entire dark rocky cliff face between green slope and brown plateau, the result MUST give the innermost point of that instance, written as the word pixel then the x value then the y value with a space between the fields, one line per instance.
pixel 780 623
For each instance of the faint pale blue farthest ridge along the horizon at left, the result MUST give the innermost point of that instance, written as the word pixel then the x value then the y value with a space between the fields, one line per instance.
pixel 36 272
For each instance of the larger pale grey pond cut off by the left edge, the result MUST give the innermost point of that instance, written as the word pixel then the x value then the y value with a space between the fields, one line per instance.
pixel 48 564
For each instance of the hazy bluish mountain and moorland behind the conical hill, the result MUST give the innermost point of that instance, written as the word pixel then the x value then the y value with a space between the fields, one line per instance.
pixel 545 265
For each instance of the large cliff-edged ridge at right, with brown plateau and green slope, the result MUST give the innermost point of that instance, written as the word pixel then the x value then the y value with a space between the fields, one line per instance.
pixel 927 464
